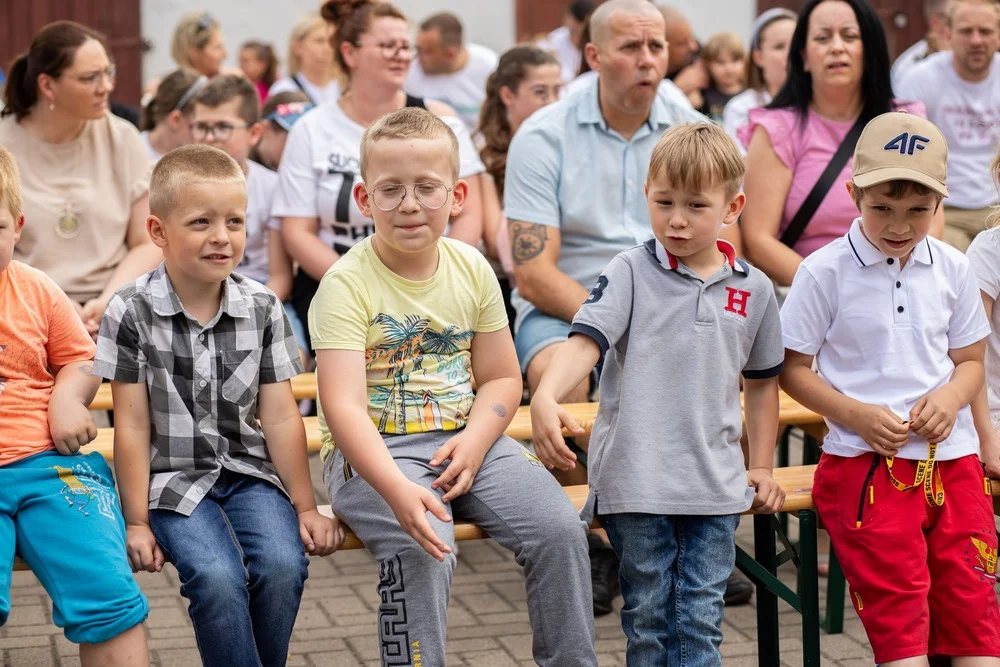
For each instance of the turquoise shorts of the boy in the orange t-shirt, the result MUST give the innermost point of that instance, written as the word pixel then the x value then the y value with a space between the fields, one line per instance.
pixel 61 515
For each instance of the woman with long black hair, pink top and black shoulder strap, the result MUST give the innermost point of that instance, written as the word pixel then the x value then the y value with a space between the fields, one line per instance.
pixel 838 74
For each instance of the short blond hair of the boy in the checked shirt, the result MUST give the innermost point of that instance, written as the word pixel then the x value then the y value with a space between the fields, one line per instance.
pixel 184 166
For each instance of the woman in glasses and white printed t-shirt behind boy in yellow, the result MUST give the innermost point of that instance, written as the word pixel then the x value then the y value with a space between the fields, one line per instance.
pixel 319 219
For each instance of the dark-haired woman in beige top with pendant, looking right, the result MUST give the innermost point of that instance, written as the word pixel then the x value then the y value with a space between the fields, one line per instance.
pixel 85 172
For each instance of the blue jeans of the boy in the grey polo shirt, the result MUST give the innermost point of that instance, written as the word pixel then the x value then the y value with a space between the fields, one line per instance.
pixel 673 576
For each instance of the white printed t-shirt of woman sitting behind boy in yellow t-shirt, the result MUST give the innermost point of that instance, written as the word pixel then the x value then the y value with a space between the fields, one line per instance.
pixel 321 164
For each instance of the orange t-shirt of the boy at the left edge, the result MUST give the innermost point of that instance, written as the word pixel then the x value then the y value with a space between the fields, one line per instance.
pixel 39 328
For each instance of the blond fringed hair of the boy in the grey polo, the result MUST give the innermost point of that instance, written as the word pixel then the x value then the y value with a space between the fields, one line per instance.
pixel 696 157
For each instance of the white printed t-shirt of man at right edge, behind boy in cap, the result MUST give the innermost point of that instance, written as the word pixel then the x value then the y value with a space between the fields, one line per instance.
pixel 968 115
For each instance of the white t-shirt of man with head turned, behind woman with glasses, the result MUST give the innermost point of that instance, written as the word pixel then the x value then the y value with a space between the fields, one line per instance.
pixel 464 90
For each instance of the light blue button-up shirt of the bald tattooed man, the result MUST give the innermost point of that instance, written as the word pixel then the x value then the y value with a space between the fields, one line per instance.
pixel 566 168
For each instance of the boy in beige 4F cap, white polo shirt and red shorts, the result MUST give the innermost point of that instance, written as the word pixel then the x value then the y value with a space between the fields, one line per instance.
pixel 895 324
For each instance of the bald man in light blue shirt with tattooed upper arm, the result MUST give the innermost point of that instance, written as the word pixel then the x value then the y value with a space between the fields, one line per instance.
pixel 574 195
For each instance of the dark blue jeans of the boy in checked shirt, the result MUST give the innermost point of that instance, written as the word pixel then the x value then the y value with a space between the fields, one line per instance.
pixel 242 566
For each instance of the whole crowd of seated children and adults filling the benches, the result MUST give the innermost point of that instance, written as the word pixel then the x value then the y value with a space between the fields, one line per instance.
pixel 442 232
